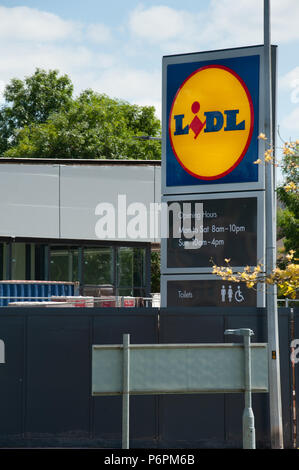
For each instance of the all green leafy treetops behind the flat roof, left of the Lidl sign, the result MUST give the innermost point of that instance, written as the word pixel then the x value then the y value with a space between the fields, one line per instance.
pixel 39 124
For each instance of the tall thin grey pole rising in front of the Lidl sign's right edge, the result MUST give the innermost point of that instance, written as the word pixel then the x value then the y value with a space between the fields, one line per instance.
pixel 276 428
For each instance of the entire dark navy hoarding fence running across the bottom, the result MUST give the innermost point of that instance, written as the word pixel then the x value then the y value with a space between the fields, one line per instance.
pixel 45 393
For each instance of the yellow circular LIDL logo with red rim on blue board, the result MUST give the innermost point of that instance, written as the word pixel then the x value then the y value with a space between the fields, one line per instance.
pixel 211 122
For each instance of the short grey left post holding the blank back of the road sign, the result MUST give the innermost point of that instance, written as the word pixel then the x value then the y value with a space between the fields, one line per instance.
pixel 126 392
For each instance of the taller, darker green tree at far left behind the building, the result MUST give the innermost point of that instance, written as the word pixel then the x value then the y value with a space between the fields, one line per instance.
pixel 31 101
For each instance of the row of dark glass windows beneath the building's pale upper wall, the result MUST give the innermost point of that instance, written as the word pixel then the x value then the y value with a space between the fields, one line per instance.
pixel 123 267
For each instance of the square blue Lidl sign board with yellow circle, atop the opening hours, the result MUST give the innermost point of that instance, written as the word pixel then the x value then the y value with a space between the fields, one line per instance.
pixel 212 116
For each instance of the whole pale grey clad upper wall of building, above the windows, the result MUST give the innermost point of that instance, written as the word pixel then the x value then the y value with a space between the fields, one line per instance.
pixel 59 201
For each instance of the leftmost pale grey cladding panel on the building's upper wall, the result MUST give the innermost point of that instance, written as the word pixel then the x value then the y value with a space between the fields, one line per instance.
pixel 29 201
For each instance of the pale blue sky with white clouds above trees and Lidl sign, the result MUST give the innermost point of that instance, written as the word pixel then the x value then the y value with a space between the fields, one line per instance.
pixel 116 47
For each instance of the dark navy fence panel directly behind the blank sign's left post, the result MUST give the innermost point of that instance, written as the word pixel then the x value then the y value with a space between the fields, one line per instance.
pixel 108 328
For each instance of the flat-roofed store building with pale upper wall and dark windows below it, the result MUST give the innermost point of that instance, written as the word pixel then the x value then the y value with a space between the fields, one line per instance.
pixel 49 211
